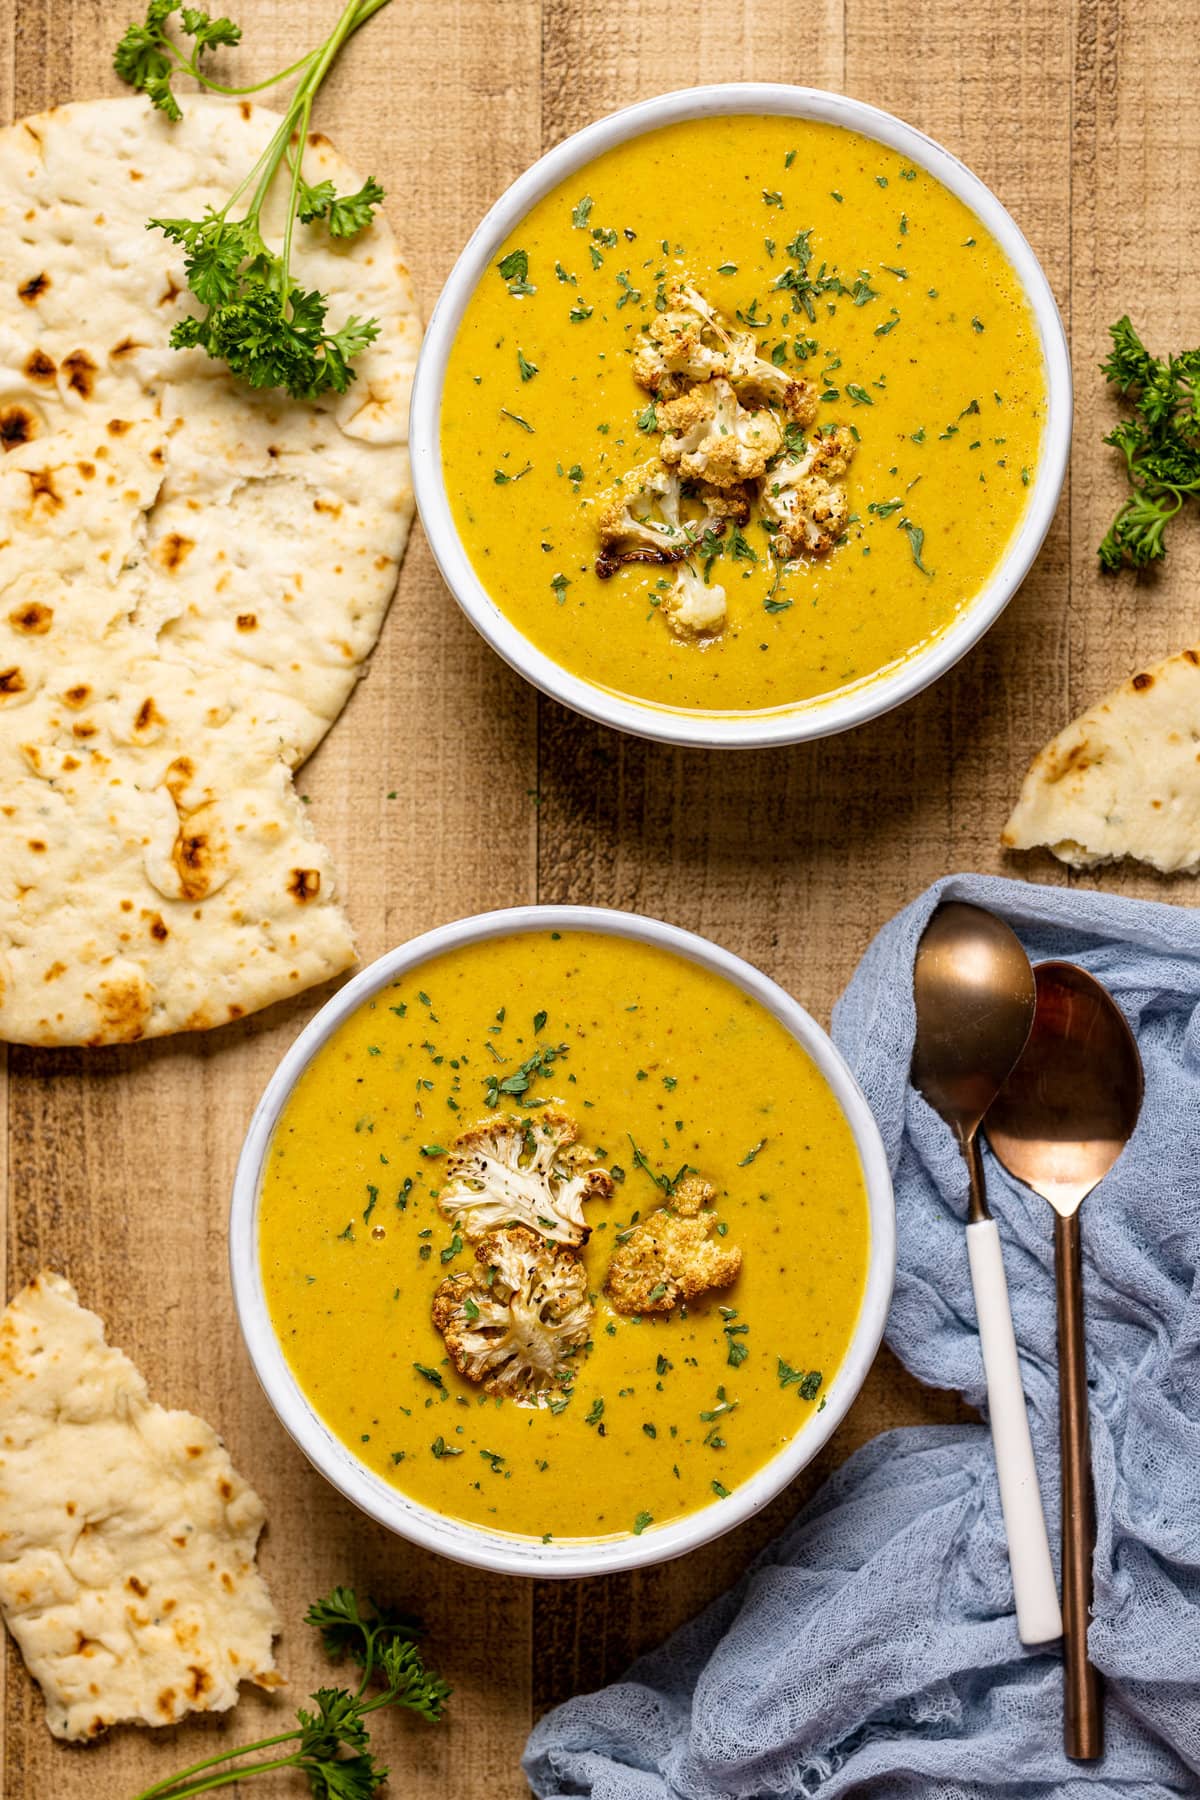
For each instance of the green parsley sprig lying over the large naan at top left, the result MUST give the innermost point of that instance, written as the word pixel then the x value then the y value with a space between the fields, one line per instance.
pixel 256 319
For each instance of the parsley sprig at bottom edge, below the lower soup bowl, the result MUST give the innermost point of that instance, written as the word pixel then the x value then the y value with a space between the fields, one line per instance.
pixel 330 1743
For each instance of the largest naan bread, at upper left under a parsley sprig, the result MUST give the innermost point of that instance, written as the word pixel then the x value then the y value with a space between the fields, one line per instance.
pixel 192 579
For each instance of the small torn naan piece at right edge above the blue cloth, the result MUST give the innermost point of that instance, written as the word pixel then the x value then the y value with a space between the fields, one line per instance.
pixel 1124 780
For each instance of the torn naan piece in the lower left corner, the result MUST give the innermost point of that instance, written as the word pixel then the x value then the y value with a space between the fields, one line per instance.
pixel 127 1538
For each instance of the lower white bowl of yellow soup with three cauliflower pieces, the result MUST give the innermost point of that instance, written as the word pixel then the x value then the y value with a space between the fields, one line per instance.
pixel 562 1239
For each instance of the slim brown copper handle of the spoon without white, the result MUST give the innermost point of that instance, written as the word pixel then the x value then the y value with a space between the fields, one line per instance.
pixel 1084 1723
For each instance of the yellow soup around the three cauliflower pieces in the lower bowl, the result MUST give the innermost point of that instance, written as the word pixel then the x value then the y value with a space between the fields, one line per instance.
pixel 661 1065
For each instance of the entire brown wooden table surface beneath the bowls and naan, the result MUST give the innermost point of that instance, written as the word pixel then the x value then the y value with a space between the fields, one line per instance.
pixel 451 787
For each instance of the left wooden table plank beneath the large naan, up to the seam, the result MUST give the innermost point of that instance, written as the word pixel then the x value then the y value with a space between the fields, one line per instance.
pixel 121 1162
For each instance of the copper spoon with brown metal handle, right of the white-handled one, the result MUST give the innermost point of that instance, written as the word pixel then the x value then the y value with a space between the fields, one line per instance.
pixel 1062 1120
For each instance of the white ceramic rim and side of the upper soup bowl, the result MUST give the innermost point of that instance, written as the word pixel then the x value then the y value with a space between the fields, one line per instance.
pixel 816 719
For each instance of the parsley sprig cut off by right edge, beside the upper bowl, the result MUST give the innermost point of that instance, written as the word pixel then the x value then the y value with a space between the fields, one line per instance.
pixel 1160 444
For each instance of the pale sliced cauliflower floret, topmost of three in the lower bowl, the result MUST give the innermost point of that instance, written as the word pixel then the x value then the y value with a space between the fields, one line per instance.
pixel 523 1171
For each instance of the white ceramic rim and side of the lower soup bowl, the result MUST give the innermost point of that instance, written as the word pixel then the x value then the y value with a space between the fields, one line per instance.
pixel 476 1543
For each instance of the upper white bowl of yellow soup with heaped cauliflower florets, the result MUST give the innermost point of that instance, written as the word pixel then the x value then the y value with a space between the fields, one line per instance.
pixel 742 417
